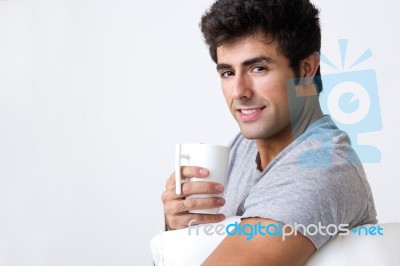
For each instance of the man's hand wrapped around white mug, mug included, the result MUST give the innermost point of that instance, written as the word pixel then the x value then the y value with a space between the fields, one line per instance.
pixel 194 191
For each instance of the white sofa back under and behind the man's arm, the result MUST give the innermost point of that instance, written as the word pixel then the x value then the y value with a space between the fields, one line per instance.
pixel 179 248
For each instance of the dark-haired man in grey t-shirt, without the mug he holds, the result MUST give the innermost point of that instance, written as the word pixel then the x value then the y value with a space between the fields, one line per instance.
pixel 290 164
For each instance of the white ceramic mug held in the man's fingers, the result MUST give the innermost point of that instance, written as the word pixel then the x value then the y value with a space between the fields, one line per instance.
pixel 215 158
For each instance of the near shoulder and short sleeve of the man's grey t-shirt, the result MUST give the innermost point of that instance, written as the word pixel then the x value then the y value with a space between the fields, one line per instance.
pixel 316 179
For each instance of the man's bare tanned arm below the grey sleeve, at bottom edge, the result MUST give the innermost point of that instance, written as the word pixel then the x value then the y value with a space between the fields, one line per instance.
pixel 261 250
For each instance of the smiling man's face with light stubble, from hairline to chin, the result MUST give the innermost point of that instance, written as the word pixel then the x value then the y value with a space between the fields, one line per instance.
pixel 253 77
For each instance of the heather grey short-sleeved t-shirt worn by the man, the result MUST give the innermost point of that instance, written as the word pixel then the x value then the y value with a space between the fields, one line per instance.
pixel 318 178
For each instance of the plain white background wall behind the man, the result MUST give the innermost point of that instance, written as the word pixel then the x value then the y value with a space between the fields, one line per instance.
pixel 94 94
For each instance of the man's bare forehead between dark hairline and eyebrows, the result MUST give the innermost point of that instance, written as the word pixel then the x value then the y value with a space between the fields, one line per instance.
pixel 244 48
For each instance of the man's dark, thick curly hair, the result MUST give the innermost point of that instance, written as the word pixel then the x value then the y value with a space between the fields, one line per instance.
pixel 293 23
